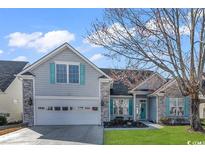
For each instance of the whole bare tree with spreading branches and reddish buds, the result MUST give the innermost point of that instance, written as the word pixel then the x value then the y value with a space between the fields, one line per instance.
pixel 169 39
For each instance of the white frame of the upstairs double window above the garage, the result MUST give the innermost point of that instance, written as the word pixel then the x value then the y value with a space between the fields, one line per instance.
pixel 67 71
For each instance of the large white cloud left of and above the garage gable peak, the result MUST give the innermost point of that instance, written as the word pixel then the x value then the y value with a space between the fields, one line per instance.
pixel 42 42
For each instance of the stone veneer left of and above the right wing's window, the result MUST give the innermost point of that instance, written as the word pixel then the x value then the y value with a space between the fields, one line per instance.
pixel 172 91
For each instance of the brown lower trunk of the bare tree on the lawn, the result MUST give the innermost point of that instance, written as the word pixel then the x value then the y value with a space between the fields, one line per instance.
pixel 195 119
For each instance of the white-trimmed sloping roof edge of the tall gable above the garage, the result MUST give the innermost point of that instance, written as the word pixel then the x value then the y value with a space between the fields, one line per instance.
pixel 56 51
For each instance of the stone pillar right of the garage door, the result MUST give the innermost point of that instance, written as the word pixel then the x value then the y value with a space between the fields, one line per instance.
pixel 105 96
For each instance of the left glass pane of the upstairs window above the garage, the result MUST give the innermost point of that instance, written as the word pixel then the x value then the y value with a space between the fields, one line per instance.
pixel 61 73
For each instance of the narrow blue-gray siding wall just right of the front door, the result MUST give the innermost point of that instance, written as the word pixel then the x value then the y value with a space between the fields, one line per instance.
pixel 152 109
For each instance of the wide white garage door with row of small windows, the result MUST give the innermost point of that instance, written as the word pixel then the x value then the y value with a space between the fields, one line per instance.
pixel 67 112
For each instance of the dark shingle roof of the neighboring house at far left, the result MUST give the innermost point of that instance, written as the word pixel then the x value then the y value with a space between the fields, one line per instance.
pixel 8 70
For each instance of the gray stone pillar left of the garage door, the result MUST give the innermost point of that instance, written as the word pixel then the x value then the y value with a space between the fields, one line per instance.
pixel 28 106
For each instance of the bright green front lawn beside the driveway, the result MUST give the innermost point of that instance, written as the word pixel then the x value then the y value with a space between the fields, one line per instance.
pixel 174 135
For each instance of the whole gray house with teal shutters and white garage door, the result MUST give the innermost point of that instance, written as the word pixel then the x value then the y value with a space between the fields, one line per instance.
pixel 65 88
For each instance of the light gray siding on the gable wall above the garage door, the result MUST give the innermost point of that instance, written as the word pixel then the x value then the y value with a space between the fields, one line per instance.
pixel 42 78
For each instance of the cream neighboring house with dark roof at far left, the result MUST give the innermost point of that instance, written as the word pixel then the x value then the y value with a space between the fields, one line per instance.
pixel 11 103
